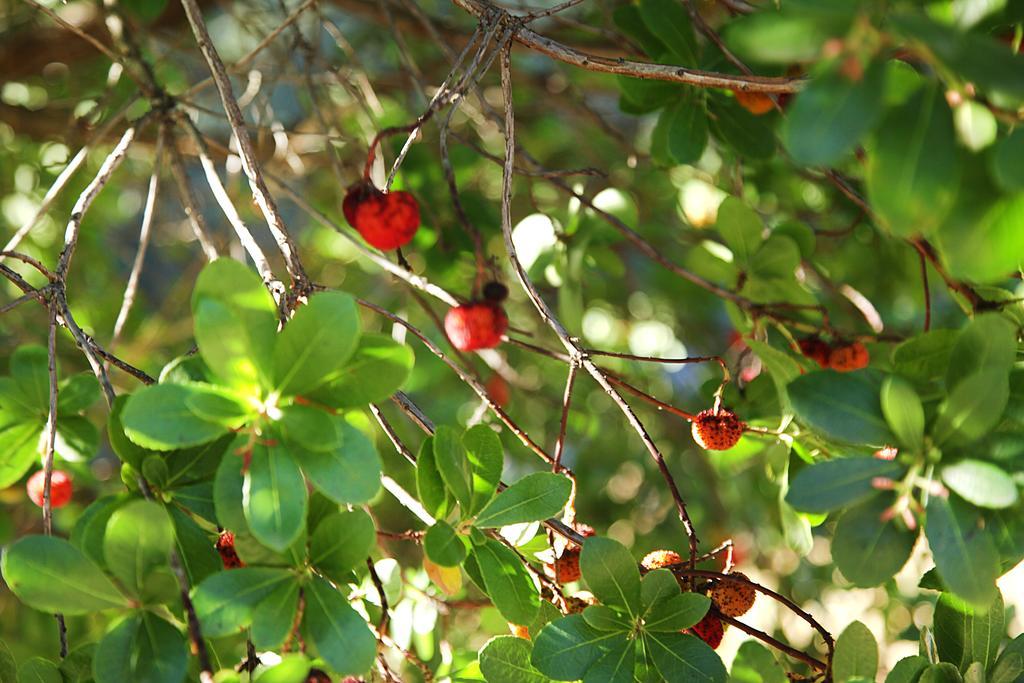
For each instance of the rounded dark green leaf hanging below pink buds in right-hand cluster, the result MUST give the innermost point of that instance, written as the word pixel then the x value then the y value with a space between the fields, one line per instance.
pixel 868 550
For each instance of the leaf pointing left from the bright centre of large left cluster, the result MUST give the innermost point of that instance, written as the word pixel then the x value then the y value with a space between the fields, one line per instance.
pixel 158 417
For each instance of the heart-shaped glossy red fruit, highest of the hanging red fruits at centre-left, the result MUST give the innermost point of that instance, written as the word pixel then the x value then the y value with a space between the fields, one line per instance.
pixel 386 221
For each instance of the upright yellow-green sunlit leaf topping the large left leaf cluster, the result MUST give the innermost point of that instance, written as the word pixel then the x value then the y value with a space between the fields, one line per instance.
pixel 236 324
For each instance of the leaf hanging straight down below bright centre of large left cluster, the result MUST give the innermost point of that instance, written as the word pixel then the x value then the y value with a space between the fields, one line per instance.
pixel 274 497
